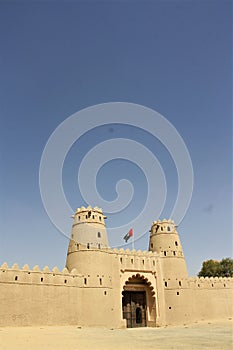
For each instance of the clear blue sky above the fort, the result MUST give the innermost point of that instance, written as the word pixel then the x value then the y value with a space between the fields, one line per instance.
pixel 60 57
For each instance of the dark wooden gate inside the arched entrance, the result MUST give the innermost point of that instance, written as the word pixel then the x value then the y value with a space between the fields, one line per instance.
pixel 134 308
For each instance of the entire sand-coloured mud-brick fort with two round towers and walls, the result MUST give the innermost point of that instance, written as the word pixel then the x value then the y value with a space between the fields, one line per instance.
pixel 115 288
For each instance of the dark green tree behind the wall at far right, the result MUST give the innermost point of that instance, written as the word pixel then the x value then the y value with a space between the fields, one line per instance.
pixel 214 268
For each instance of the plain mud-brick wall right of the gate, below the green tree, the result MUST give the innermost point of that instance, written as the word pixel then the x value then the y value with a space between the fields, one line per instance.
pixel 197 299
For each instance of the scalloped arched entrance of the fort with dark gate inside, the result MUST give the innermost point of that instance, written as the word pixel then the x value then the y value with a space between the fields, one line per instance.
pixel 138 302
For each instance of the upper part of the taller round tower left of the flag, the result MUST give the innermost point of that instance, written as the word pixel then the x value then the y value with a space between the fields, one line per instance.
pixel 88 232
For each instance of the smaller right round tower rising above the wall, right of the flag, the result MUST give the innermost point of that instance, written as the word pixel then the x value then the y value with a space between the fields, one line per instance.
pixel 164 239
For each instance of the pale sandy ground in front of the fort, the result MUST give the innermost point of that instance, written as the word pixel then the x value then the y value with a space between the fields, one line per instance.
pixel 204 335
